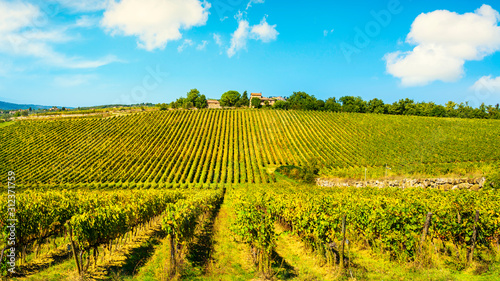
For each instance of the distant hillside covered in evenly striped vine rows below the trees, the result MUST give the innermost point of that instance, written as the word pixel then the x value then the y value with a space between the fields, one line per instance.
pixel 237 146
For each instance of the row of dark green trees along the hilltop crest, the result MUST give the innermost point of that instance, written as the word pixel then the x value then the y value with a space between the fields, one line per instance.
pixel 304 101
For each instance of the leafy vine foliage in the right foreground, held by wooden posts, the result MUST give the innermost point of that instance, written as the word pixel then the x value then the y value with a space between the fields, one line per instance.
pixel 390 219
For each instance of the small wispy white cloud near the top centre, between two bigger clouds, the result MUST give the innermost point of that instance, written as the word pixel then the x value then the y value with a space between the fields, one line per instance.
pixel 263 32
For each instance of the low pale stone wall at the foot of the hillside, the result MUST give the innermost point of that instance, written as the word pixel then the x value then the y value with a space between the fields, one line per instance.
pixel 441 183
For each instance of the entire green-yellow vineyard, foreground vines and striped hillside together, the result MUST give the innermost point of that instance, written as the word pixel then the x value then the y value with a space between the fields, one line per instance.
pixel 193 195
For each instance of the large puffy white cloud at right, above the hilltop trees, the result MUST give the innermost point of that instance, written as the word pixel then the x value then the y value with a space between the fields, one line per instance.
pixel 444 41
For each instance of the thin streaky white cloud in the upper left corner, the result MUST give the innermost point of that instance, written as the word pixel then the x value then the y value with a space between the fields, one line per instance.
pixel 23 34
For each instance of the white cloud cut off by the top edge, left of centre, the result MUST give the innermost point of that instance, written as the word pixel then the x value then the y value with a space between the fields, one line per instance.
pixel 154 22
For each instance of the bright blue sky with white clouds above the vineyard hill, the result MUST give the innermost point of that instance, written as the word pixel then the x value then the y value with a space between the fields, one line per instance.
pixel 82 53
